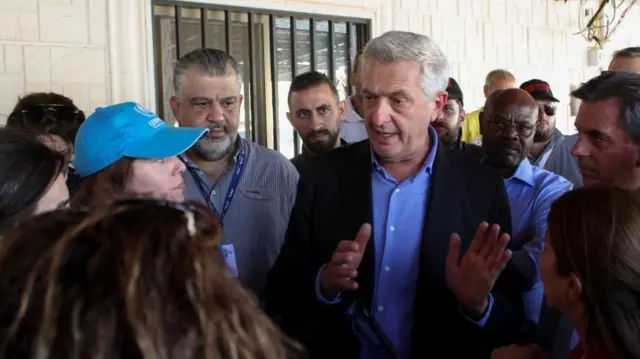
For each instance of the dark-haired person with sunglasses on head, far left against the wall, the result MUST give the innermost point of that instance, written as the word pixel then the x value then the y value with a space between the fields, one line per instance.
pixel 52 118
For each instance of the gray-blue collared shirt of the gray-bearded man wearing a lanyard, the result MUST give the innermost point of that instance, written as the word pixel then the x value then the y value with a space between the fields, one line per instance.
pixel 258 215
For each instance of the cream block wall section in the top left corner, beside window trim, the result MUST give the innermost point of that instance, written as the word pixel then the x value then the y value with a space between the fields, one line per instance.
pixel 53 45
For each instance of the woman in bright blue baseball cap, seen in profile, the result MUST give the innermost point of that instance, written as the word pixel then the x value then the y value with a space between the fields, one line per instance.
pixel 125 150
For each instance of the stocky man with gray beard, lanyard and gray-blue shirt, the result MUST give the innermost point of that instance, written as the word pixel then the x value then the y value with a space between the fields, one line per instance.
pixel 250 187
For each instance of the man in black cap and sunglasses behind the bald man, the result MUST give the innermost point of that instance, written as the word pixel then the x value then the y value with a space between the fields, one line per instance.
pixel 547 135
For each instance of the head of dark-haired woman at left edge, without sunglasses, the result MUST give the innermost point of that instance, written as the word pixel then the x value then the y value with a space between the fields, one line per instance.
pixel 32 178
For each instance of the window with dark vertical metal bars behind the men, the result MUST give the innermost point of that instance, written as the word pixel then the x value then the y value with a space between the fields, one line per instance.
pixel 271 48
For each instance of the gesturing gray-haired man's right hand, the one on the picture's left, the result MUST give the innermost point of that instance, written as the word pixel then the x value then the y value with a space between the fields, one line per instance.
pixel 340 273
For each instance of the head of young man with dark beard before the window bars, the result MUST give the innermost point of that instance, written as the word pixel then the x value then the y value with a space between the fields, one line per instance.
pixel 315 111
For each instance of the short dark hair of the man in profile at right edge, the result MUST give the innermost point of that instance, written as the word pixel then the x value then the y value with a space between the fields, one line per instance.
pixel 622 85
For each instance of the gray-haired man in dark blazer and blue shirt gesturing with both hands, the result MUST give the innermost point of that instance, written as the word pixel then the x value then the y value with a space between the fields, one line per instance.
pixel 400 225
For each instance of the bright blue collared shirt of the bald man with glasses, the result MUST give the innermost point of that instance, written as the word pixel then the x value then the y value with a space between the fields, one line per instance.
pixel 531 192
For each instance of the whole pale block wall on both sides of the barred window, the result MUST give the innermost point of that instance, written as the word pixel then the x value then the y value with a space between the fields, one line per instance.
pixel 100 51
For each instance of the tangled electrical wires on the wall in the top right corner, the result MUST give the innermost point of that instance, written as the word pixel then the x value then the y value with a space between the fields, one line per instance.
pixel 604 22
